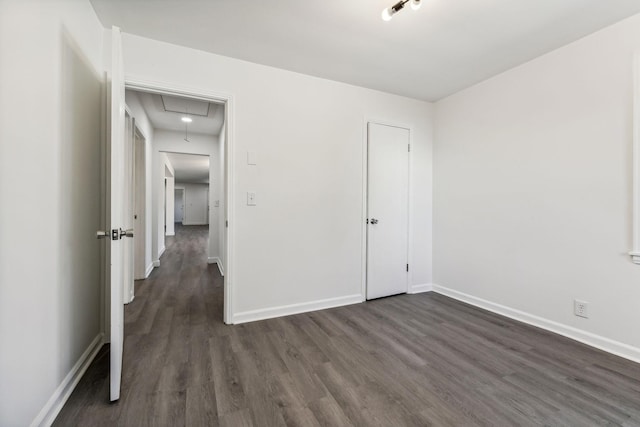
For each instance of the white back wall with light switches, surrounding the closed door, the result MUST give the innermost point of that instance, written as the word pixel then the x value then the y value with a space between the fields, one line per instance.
pixel 302 243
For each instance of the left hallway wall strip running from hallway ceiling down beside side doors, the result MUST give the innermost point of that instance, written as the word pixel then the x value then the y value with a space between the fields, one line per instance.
pixel 144 126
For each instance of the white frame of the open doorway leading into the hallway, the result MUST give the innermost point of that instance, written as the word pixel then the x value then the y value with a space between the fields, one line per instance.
pixel 227 233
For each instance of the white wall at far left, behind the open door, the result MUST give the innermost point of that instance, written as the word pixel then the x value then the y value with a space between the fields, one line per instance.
pixel 50 165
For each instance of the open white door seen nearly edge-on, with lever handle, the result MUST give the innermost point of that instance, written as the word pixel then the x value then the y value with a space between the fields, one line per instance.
pixel 117 199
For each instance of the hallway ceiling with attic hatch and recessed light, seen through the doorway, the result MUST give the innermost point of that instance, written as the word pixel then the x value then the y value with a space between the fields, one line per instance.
pixel 165 112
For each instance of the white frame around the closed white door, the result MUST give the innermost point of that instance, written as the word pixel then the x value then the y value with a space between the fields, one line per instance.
pixel 365 200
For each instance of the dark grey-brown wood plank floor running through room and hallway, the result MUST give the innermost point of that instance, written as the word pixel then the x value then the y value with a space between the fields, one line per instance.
pixel 414 360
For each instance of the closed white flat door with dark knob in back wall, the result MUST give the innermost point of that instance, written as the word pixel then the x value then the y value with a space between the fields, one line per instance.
pixel 387 210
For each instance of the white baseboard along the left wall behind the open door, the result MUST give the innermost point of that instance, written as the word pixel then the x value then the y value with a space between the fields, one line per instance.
pixel 50 411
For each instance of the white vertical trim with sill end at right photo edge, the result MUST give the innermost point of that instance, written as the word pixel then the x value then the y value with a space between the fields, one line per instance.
pixel 635 253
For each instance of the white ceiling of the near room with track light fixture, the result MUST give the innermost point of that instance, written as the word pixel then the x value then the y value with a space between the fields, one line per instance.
pixel 444 47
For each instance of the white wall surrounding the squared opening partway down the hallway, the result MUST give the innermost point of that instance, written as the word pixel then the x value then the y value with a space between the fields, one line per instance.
pixel 169 141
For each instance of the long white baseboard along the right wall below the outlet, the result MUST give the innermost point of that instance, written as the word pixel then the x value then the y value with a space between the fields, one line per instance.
pixel 597 341
